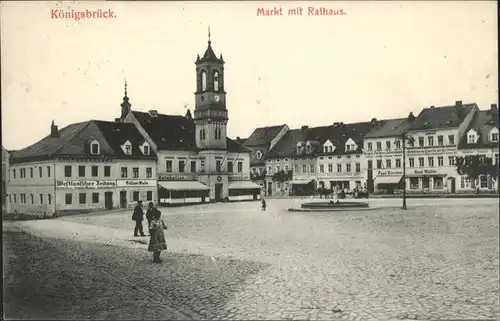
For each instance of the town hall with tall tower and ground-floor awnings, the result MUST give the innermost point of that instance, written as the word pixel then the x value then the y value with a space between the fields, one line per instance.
pixel 197 162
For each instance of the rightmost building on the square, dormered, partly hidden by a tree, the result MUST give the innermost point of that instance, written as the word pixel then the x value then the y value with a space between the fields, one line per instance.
pixel 481 138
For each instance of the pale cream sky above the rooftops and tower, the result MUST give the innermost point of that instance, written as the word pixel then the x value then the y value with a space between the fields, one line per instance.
pixel 379 60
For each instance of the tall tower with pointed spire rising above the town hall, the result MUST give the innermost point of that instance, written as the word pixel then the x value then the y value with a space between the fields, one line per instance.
pixel 210 113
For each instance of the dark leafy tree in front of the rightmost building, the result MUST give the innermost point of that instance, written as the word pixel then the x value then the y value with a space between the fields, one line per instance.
pixel 473 166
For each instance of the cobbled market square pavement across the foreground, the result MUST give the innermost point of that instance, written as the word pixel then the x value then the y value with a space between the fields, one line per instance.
pixel 437 260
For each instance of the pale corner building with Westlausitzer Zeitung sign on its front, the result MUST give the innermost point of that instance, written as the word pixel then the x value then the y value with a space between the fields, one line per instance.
pixel 93 165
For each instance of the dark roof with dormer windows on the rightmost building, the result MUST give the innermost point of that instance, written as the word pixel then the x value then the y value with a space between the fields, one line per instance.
pixel 482 123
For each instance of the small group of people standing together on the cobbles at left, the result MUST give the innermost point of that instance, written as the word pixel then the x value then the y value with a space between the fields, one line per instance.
pixel 157 242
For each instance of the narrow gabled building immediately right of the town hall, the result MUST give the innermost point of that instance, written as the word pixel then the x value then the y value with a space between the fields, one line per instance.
pixel 260 142
